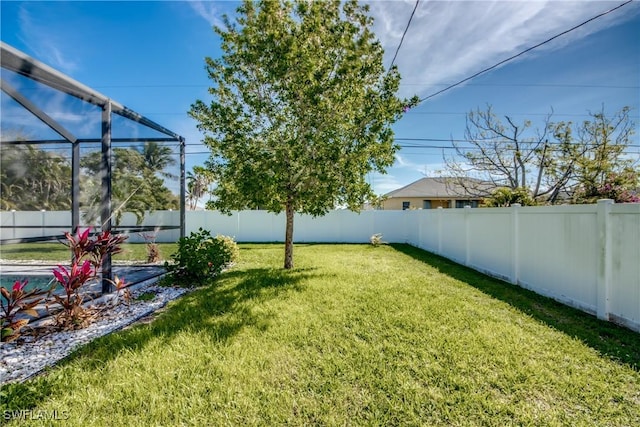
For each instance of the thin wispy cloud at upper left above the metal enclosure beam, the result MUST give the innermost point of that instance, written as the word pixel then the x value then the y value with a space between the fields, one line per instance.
pixel 44 43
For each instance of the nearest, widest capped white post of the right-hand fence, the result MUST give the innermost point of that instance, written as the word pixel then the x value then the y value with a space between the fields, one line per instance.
pixel 604 258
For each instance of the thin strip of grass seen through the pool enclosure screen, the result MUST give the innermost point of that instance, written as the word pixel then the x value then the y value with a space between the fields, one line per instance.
pixel 58 252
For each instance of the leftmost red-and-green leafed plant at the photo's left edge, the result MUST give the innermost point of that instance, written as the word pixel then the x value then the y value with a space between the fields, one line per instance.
pixel 17 302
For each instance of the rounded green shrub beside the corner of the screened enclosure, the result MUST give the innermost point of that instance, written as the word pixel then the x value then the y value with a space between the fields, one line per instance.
pixel 200 257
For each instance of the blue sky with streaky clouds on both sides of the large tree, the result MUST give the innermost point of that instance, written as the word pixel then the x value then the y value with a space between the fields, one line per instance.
pixel 149 56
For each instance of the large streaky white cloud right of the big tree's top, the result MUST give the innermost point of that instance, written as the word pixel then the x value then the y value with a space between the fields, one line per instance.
pixel 451 40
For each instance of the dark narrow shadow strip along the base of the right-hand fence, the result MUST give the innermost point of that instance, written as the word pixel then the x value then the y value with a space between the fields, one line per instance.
pixel 615 342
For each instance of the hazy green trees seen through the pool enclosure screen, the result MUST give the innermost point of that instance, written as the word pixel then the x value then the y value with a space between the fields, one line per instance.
pixel 33 178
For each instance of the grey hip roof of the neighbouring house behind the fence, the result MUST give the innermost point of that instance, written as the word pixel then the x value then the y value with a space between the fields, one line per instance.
pixel 442 187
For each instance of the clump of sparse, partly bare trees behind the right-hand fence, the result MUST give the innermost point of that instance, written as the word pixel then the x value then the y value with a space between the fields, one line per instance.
pixel 559 161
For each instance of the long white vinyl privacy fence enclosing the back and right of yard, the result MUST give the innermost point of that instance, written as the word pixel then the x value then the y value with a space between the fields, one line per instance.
pixel 586 256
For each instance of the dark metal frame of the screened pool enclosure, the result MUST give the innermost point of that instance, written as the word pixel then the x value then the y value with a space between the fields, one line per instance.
pixel 18 62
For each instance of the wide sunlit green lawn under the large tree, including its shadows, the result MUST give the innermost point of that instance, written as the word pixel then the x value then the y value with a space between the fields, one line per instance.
pixel 355 335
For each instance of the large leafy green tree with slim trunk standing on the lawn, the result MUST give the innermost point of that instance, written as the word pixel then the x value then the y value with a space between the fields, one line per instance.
pixel 301 110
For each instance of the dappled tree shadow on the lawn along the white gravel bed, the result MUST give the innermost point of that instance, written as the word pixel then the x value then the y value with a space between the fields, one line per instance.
pixel 221 310
